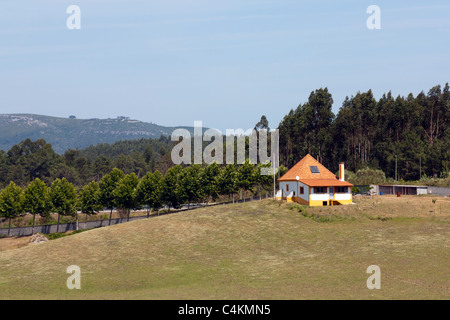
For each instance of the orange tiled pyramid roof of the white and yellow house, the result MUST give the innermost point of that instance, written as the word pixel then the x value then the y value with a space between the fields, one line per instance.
pixel 303 171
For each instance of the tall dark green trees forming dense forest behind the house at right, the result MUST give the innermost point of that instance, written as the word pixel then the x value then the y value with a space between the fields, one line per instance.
pixel 408 136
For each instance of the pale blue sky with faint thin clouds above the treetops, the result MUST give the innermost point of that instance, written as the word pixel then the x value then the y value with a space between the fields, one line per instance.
pixel 222 62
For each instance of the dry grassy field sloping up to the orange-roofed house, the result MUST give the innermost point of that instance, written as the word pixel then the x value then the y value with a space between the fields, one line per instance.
pixel 257 250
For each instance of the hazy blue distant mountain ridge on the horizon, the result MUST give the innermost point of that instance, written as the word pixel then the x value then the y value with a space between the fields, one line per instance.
pixel 72 133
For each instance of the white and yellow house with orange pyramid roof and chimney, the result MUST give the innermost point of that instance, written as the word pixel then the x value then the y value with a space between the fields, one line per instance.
pixel 310 183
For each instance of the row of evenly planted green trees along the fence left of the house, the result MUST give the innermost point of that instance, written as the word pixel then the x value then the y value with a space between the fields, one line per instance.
pixel 192 184
